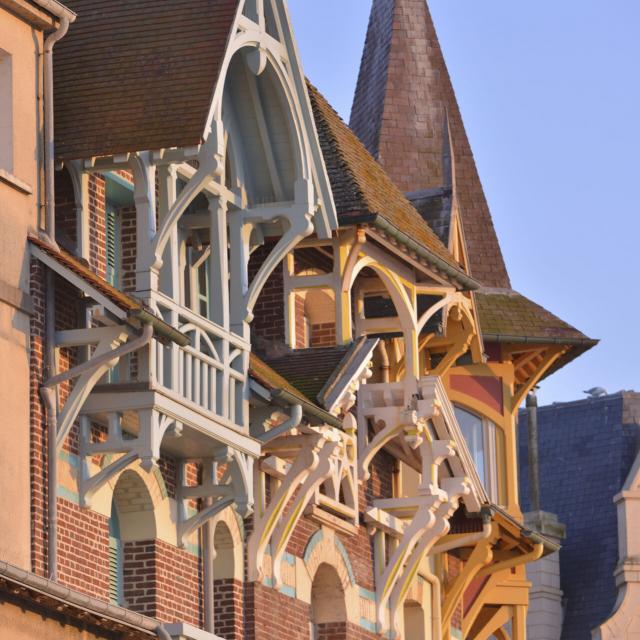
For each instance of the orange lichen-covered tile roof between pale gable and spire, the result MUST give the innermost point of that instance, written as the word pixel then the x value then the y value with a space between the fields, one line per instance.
pixel 361 186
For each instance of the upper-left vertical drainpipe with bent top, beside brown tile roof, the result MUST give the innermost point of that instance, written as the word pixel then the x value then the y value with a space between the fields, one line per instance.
pixel 66 17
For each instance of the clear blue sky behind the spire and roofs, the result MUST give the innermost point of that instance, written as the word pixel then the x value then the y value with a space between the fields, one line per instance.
pixel 550 95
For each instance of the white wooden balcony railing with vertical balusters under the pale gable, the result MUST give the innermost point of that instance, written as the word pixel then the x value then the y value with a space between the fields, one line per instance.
pixel 210 373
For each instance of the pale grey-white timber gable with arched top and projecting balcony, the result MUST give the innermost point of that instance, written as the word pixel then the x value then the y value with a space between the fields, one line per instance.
pixel 205 207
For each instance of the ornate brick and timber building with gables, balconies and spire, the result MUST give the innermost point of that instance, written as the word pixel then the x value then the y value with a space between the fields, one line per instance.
pixel 266 367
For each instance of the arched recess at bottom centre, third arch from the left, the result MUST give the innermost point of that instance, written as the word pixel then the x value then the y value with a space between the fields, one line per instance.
pixel 328 607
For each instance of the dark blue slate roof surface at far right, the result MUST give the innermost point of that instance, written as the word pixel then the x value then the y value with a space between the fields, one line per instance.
pixel 586 450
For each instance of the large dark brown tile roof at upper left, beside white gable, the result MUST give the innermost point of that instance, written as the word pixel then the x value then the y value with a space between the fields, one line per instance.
pixel 134 76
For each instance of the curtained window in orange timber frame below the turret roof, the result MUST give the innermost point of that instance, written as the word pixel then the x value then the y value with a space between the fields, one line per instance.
pixel 487 447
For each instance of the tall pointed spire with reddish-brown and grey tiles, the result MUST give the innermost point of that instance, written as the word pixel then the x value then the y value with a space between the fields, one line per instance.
pixel 406 114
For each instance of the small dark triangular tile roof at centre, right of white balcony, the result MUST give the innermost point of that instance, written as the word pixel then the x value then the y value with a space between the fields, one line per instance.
pixel 308 370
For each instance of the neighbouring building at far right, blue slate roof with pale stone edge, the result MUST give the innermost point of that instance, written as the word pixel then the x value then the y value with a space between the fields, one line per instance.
pixel 598 560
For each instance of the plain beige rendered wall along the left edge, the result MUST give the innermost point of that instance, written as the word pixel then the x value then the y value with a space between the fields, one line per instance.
pixel 18 216
